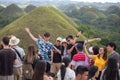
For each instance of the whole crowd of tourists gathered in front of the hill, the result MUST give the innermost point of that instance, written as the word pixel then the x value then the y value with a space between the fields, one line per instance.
pixel 66 59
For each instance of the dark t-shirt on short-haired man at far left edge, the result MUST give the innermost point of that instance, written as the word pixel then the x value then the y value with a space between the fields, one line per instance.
pixel 7 58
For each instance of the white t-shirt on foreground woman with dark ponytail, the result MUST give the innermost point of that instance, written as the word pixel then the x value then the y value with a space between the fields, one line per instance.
pixel 69 75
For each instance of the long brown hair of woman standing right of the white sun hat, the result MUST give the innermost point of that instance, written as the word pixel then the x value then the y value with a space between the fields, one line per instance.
pixel 31 54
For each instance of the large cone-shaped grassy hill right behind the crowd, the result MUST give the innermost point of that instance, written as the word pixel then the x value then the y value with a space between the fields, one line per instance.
pixel 40 20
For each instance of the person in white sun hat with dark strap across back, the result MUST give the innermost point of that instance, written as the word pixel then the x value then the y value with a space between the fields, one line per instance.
pixel 14 41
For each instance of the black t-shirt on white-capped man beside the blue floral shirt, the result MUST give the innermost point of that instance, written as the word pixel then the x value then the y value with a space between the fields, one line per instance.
pixel 57 56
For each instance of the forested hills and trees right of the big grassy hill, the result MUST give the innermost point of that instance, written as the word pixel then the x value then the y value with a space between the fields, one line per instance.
pixel 94 22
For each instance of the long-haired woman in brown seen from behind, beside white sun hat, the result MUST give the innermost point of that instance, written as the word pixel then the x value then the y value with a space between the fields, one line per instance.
pixel 30 61
